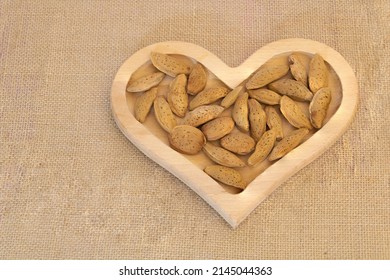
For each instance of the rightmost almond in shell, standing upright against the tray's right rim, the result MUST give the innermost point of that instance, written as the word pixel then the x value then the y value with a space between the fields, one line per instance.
pixel 319 106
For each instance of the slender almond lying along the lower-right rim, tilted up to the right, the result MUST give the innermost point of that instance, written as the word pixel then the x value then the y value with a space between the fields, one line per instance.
pixel 288 143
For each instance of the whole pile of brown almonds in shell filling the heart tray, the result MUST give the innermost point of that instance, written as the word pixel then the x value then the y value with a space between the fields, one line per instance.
pixel 192 113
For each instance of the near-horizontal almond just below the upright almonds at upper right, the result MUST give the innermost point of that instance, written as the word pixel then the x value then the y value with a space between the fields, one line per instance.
pixel 292 88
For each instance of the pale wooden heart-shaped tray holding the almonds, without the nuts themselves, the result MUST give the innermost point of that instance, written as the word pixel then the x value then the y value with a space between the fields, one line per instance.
pixel 232 206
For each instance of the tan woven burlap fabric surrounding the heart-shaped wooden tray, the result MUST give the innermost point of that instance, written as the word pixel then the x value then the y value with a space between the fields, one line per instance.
pixel 73 187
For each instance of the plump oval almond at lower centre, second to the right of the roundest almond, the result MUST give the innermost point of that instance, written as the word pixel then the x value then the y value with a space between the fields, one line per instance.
pixel 238 143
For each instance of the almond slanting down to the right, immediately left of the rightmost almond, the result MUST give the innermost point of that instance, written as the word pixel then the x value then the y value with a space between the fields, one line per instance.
pixel 293 113
